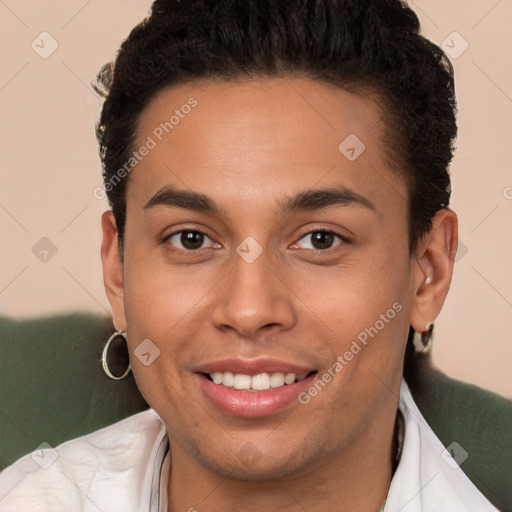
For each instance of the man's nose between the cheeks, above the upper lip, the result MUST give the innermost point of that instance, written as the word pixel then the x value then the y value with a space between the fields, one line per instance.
pixel 254 298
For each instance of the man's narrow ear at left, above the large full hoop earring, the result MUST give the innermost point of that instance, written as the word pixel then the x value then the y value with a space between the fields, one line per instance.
pixel 112 269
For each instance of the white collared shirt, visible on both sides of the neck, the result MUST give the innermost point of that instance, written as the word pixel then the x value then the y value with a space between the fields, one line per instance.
pixel 117 468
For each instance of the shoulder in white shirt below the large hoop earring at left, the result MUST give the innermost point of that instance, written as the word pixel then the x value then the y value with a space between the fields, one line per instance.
pixel 86 473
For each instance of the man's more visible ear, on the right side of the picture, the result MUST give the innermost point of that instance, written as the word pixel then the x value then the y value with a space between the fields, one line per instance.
pixel 433 268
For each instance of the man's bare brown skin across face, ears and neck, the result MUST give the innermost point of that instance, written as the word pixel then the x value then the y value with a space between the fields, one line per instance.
pixel 248 145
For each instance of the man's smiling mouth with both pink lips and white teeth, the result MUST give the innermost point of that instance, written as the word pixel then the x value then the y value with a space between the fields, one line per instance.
pixel 253 389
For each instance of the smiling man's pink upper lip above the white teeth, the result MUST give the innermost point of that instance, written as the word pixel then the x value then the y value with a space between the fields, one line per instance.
pixel 253 366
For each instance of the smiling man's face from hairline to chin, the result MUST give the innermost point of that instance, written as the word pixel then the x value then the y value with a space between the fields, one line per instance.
pixel 297 262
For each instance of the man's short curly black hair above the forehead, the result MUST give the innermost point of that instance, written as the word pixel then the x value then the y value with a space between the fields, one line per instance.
pixel 358 45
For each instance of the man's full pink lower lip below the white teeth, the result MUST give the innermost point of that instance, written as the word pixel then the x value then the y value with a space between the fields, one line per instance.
pixel 253 404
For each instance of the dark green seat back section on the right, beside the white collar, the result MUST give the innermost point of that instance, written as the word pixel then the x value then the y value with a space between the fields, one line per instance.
pixel 477 420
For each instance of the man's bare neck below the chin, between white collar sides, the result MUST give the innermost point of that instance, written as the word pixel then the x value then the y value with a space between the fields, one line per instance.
pixel 354 478
